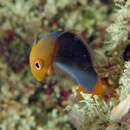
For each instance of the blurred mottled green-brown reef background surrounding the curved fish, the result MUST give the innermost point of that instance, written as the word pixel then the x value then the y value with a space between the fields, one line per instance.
pixel 26 104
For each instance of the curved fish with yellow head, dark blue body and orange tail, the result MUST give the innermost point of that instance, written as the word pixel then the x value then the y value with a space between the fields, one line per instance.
pixel 71 54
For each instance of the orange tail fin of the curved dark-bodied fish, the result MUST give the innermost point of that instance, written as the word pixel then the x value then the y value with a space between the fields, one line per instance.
pixel 99 90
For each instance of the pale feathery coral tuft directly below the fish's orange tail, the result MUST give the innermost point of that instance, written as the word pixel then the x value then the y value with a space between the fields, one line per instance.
pixel 93 112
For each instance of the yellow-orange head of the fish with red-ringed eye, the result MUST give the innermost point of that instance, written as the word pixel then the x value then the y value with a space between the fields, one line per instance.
pixel 41 58
